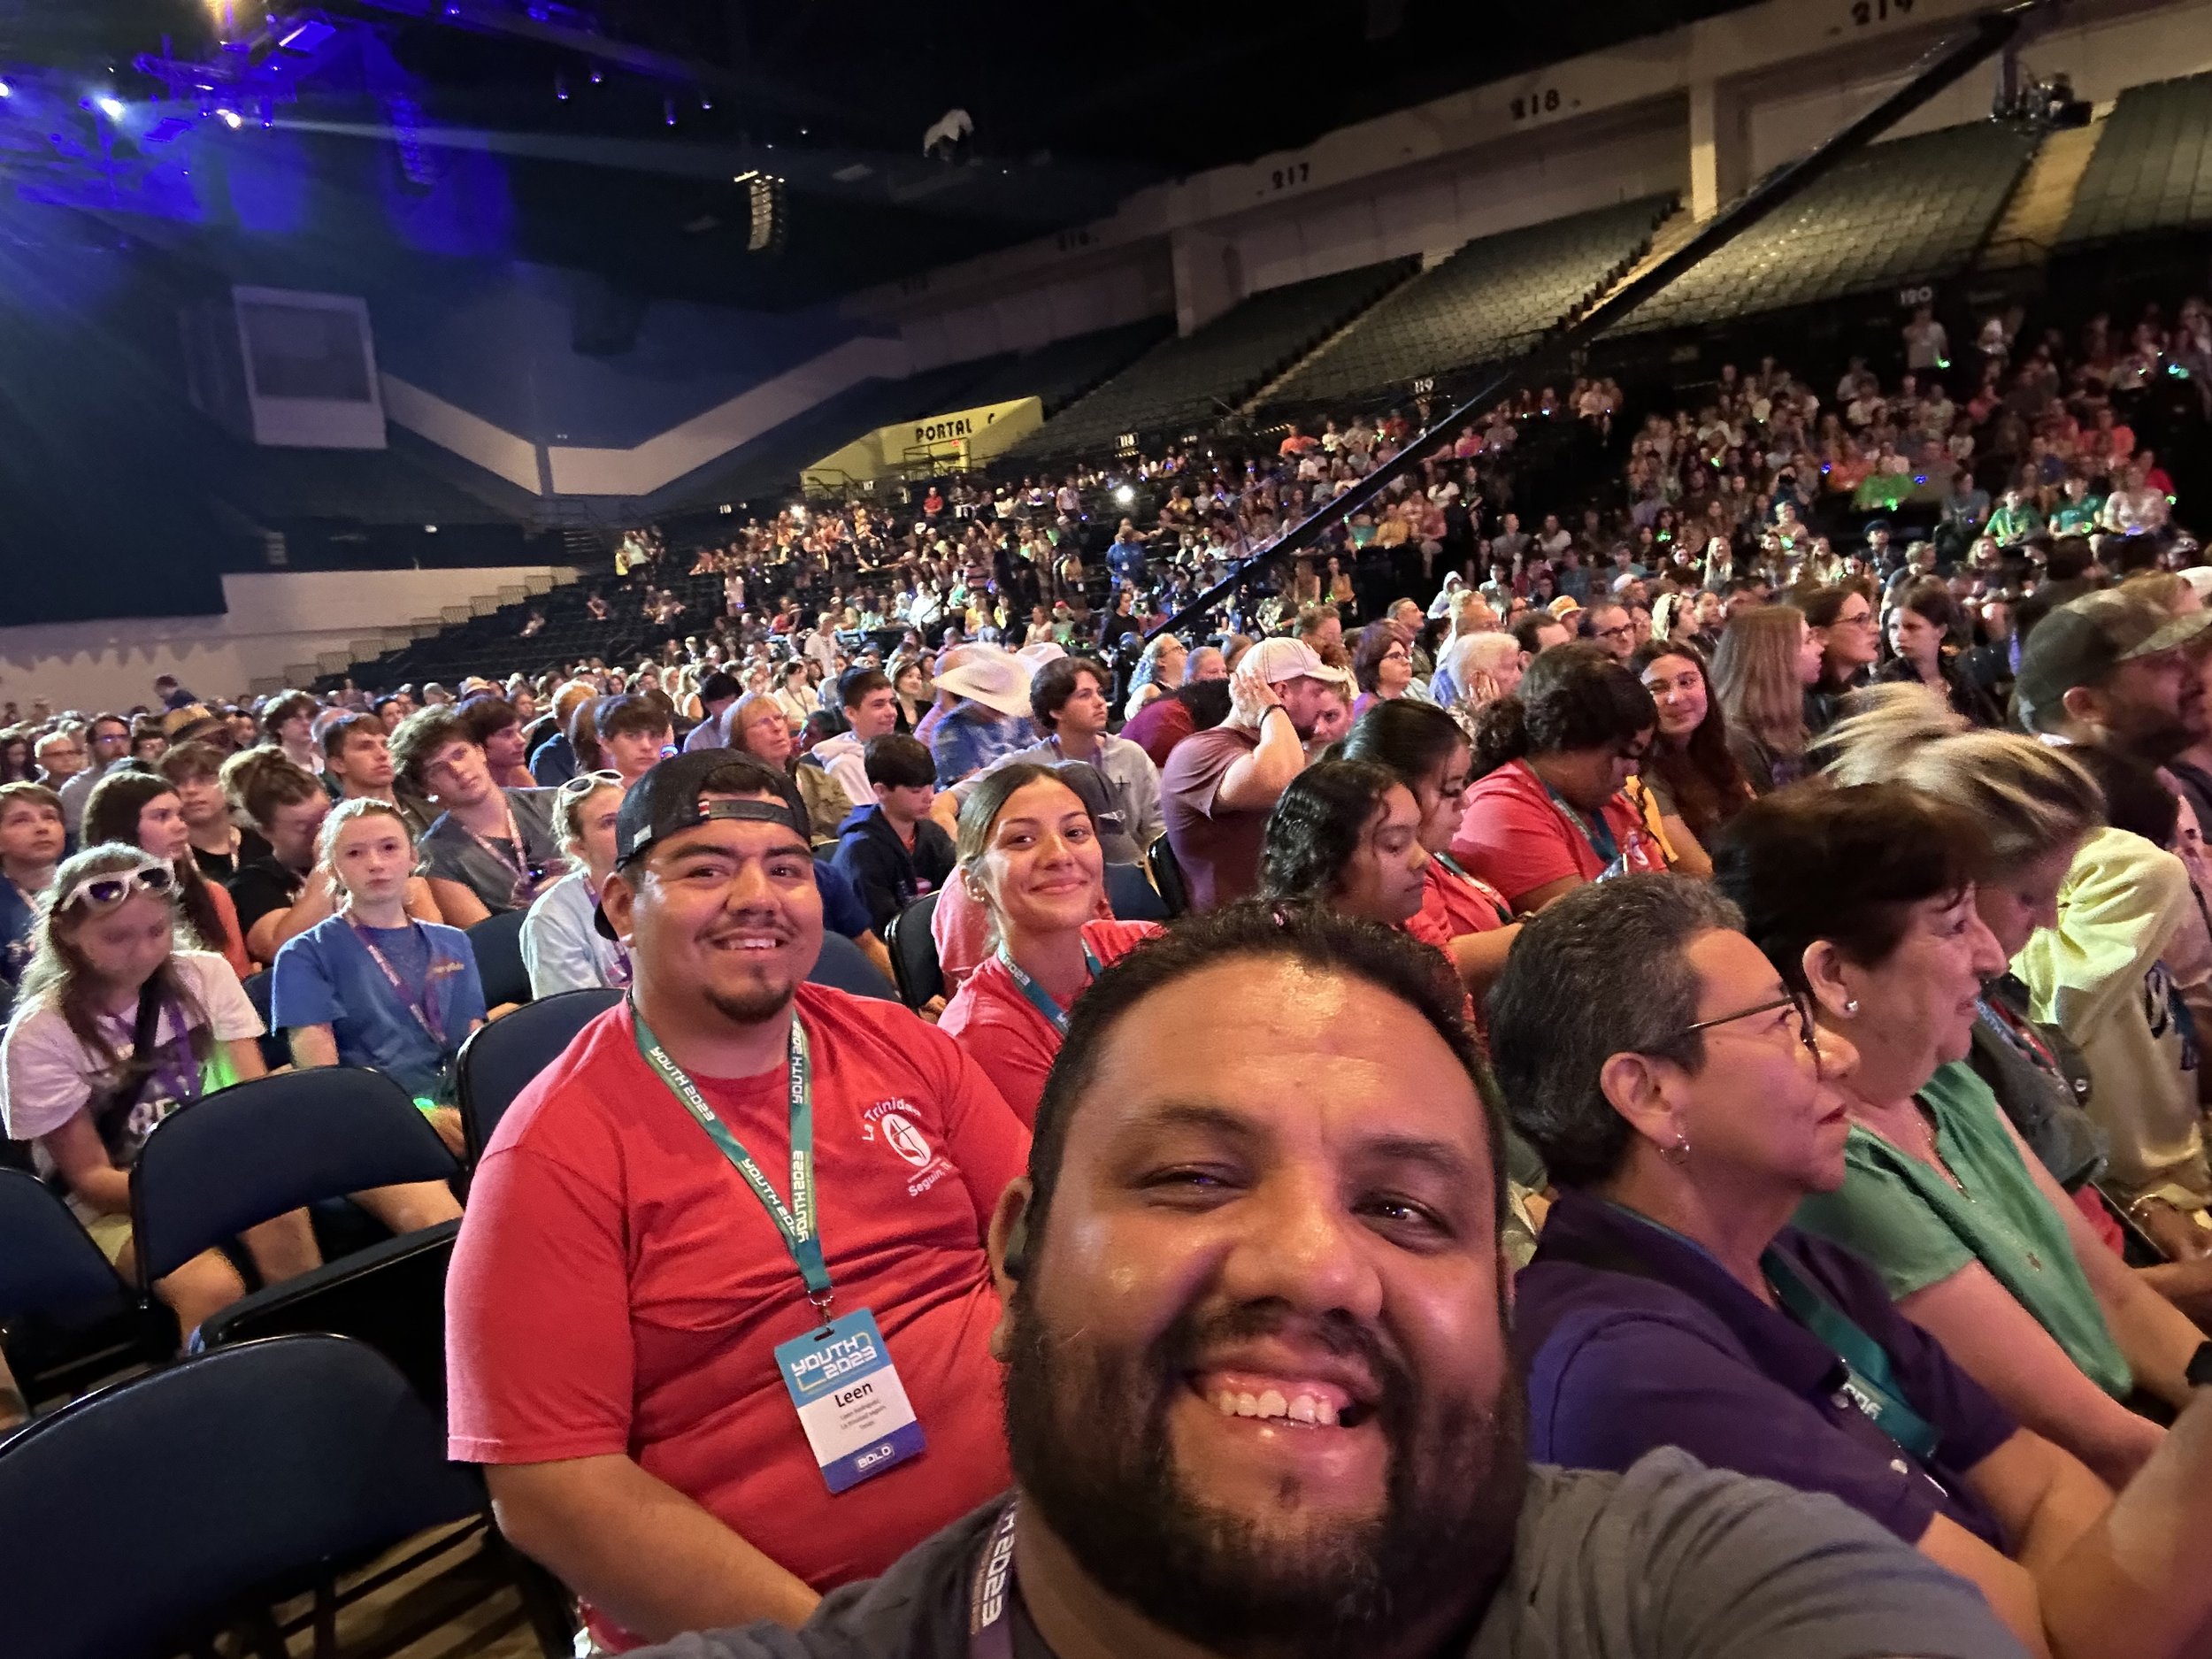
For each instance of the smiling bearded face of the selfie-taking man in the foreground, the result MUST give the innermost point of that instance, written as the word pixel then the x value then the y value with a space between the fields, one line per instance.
pixel 1258 1368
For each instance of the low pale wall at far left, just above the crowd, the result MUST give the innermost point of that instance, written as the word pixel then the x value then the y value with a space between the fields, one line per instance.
pixel 275 620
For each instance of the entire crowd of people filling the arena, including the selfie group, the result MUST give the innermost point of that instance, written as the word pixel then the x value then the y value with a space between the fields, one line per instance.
pixel 1780 970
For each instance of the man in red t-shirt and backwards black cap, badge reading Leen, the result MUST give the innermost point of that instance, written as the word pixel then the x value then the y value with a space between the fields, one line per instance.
pixel 623 1284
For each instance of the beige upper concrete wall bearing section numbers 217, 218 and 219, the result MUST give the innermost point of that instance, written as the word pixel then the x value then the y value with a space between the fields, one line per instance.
pixel 1768 81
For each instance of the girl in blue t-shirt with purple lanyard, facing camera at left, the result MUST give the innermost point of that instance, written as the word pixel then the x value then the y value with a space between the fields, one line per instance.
pixel 375 988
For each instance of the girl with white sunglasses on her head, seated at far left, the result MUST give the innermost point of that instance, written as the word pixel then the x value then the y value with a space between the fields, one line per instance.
pixel 118 1023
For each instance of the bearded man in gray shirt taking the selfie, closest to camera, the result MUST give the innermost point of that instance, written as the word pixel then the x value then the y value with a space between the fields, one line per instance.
pixel 1260 1395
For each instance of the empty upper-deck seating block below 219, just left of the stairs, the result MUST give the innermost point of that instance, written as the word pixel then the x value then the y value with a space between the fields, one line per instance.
pixel 1897 213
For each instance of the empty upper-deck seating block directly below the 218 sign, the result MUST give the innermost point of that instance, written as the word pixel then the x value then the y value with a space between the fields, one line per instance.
pixel 1485 304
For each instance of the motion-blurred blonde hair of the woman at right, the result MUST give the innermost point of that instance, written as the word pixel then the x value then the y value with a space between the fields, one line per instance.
pixel 2027 797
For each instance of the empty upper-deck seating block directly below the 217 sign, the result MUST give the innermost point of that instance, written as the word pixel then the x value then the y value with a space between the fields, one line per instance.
pixel 1211 371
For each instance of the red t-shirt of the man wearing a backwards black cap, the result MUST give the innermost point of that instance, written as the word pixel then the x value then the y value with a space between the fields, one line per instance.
pixel 618 1288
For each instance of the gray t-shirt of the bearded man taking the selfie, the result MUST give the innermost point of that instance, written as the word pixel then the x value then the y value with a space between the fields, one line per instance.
pixel 1669 1561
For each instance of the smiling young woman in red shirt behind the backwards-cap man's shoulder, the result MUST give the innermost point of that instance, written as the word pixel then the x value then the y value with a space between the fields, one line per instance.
pixel 1030 855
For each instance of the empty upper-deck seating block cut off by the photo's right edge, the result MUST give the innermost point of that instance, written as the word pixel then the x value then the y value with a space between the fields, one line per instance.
pixel 2151 169
